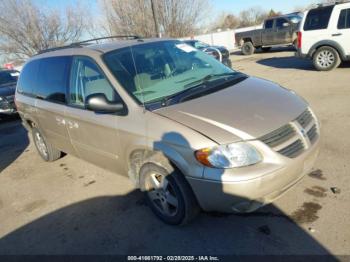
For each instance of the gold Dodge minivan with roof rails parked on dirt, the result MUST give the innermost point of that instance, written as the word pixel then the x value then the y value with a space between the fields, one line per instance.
pixel 187 130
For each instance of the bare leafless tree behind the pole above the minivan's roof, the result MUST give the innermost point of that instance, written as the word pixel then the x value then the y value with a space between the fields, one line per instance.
pixel 176 18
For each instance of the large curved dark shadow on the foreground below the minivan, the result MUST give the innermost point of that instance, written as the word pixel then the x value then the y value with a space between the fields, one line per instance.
pixel 125 225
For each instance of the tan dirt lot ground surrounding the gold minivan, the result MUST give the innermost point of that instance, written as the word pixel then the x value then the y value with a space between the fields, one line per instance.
pixel 72 207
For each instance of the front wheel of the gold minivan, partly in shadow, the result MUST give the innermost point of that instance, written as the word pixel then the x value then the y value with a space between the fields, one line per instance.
pixel 168 194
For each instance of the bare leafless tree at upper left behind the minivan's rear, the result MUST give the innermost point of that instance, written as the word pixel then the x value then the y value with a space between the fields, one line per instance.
pixel 26 28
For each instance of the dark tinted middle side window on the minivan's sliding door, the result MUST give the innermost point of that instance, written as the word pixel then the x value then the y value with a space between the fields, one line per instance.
pixel 53 79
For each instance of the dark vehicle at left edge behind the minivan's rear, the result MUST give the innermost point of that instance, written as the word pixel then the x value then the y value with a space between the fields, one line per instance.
pixel 8 81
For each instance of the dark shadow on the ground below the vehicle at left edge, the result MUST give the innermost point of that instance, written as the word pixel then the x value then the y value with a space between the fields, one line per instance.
pixel 13 141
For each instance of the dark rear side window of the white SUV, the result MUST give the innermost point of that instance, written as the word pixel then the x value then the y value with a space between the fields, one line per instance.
pixel 318 18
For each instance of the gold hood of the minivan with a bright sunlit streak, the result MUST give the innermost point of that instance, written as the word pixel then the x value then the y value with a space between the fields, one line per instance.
pixel 247 110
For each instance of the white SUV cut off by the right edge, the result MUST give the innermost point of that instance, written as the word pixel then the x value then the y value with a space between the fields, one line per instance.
pixel 324 36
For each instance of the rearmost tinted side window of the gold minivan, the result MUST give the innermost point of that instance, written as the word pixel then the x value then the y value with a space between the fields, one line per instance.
pixel 28 78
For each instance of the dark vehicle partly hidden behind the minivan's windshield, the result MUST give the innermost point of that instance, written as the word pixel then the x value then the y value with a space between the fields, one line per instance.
pixel 218 52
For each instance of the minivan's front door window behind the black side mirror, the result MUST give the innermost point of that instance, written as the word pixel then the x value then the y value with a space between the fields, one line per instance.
pixel 87 79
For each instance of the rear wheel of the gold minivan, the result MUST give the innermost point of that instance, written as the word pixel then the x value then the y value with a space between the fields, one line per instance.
pixel 47 152
